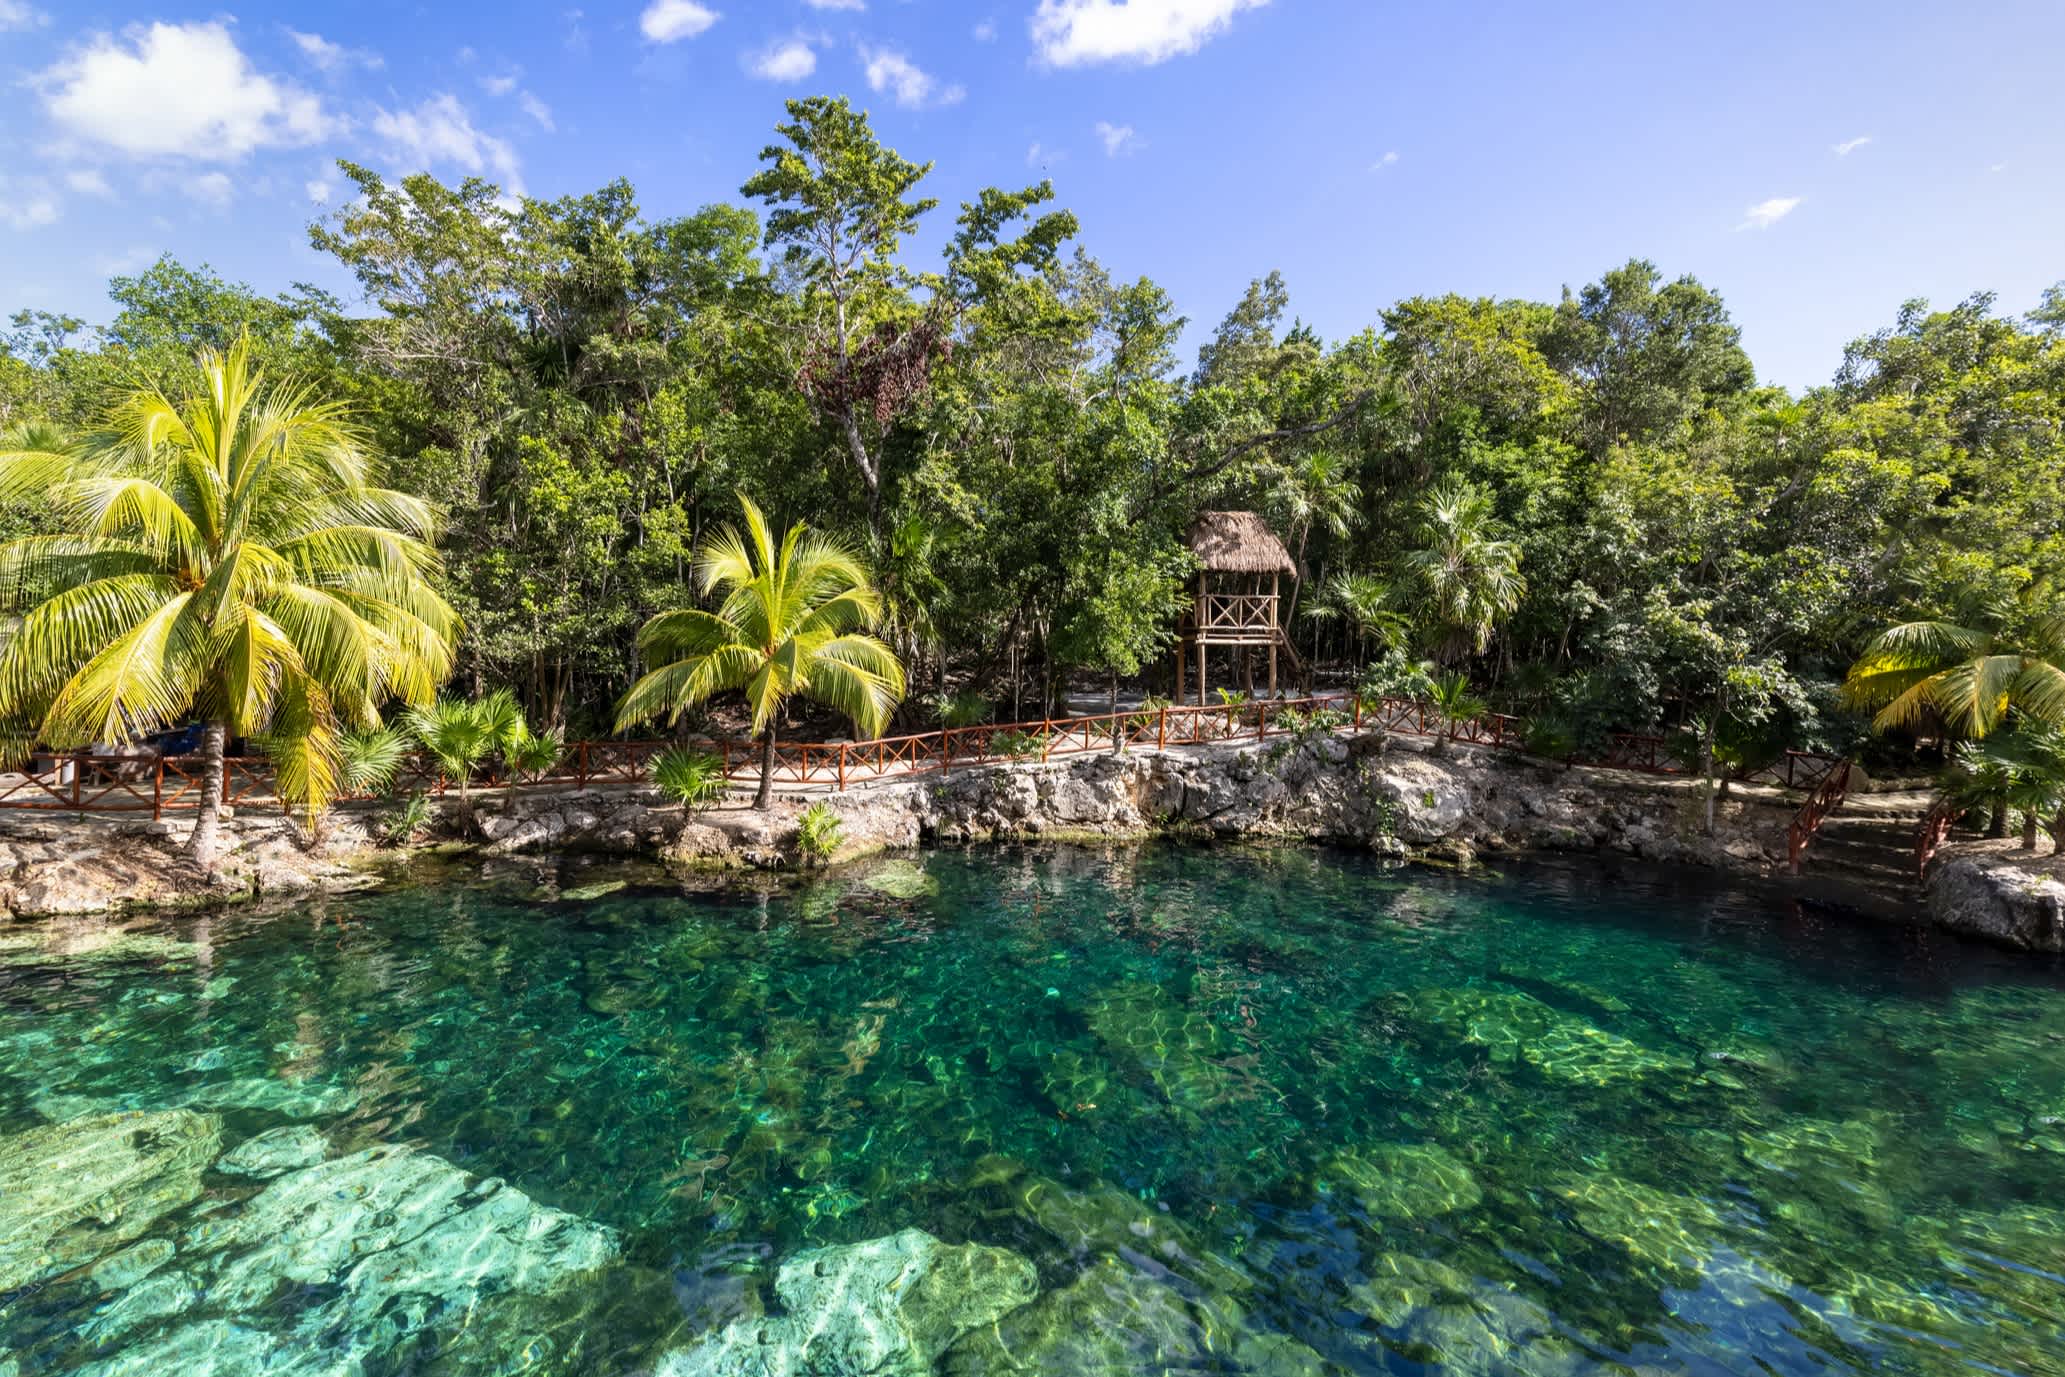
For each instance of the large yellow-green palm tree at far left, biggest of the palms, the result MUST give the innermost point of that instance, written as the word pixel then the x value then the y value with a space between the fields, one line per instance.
pixel 230 558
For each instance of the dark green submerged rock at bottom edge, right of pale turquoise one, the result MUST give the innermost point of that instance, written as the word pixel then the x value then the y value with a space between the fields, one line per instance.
pixel 1116 1320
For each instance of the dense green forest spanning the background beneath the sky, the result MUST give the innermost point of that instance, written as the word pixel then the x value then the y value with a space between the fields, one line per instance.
pixel 1591 509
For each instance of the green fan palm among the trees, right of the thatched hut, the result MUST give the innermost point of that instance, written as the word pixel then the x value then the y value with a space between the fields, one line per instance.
pixel 1465 577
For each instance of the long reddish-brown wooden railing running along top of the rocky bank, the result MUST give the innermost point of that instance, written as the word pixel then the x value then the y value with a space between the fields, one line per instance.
pixel 146 781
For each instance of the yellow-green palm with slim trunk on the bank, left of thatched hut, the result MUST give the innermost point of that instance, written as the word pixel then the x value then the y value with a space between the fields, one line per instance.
pixel 792 622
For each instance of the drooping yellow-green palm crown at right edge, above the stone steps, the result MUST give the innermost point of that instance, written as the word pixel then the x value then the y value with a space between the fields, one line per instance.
pixel 1967 678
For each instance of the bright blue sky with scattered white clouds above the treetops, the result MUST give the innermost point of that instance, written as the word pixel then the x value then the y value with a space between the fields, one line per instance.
pixel 1818 162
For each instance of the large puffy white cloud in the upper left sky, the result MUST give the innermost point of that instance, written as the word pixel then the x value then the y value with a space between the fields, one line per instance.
pixel 177 92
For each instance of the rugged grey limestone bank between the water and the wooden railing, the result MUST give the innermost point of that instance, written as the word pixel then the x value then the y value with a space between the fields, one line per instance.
pixel 1395 798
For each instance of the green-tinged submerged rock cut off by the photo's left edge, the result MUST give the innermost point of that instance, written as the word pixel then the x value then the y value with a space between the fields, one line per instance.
pixel 75 1192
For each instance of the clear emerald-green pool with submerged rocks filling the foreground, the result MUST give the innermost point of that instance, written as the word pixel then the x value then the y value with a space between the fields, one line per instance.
pixel 1201 1110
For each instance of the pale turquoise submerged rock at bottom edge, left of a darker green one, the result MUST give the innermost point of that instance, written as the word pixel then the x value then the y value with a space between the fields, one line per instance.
pixel 887 1308
